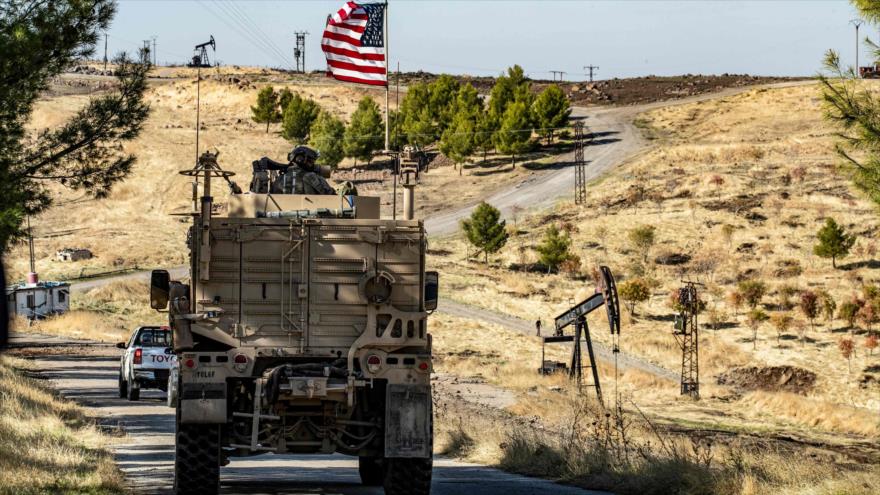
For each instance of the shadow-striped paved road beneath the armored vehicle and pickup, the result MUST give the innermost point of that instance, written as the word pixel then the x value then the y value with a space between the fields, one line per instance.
pixel 146 454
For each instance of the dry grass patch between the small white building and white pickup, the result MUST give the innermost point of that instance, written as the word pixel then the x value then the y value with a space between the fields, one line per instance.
pixel 105 314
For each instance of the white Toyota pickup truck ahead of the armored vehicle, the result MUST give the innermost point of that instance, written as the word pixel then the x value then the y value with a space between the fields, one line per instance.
pixel 146 361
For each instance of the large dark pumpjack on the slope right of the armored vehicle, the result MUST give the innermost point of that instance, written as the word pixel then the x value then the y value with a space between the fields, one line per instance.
pixel 606 294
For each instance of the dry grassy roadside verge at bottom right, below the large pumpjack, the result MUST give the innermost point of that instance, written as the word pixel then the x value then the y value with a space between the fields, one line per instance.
pixel 626 455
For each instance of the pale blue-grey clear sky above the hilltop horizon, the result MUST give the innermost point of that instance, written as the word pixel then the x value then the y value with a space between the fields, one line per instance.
pixel 624 38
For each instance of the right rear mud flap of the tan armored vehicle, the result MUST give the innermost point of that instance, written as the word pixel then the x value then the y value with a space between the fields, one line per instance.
pixel 408 421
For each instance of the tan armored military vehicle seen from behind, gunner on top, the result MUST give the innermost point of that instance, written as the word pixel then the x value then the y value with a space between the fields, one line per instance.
pixel 302 329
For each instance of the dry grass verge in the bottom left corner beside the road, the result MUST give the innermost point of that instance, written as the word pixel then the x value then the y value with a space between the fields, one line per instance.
pixel 47 445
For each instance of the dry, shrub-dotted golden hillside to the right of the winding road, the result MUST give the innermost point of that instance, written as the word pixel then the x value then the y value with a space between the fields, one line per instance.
pixel 774 156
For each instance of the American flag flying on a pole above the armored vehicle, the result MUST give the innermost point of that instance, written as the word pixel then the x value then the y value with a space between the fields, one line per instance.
pixel 354 44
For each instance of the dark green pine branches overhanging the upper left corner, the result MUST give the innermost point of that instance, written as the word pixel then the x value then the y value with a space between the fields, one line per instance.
pixel 38 41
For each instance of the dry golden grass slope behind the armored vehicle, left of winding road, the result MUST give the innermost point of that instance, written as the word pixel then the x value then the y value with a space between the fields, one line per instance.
pixel 134 228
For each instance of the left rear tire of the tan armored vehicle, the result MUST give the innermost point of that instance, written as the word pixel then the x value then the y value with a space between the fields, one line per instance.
pixel 197 459
